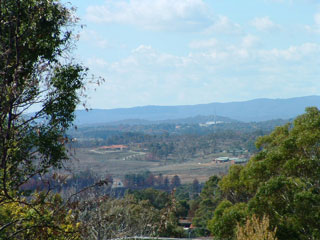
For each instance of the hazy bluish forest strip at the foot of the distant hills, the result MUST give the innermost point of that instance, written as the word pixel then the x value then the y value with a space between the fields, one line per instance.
pixel 156 133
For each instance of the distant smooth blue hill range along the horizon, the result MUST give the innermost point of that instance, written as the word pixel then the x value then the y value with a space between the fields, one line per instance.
pixel 248 111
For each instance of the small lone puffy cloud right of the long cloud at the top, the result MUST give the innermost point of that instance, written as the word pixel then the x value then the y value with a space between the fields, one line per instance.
pixel 224 25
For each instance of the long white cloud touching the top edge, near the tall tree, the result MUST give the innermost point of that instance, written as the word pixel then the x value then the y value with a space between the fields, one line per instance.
pixel 155 14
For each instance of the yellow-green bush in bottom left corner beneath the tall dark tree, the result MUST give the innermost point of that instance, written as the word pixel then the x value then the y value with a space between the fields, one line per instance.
pixel 42 218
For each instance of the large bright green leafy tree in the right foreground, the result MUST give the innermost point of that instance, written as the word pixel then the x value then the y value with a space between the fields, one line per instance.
pixel 281 181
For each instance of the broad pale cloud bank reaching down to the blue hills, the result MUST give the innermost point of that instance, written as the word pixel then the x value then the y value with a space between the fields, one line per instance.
pixel 228 72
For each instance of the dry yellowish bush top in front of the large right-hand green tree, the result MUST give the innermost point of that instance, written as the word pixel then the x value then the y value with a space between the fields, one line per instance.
pixel 256 229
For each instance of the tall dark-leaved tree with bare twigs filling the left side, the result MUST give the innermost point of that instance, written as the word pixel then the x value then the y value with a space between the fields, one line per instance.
pixel 36 75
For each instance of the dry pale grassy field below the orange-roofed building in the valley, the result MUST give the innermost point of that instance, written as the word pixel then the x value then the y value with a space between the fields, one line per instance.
pixel 119 163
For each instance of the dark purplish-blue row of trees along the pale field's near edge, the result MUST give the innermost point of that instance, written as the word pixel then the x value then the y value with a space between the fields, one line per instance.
pixel 66 183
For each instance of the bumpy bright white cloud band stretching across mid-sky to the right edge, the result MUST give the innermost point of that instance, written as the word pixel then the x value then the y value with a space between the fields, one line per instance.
pixel 215 56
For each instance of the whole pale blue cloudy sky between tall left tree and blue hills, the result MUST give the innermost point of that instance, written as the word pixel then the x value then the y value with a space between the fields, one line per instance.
pixel 176 52
